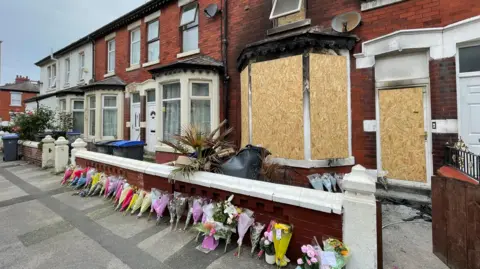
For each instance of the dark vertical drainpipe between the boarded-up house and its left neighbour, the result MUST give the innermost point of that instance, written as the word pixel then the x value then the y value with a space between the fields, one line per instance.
pixel 226 78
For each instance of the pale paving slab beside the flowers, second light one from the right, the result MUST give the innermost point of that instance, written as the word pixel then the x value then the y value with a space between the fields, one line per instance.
pixel 124 226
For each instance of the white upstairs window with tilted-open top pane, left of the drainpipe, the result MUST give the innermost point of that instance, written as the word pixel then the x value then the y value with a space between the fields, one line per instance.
pixel 189 27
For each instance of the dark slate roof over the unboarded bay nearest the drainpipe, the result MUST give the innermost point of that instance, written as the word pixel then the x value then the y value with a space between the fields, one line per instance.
pixel 200 62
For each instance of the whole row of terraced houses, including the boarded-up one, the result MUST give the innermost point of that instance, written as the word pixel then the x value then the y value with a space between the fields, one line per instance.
pixel 387 95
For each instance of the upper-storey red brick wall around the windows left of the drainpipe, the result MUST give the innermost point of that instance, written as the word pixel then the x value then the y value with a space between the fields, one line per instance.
pixel 170 43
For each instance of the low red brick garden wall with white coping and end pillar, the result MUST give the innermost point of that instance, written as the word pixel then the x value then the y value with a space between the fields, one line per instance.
pixel 311 212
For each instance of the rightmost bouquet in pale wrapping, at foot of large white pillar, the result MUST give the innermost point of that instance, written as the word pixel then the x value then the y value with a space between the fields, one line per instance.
pixel 338 252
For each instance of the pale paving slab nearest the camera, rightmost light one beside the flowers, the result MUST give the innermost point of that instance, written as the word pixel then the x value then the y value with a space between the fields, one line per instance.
pixel 166 243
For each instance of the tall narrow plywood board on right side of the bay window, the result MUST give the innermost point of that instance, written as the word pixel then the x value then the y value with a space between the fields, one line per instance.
pixel 328 106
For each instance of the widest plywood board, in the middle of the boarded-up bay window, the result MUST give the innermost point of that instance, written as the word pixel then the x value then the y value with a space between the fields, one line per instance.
pixel 277 106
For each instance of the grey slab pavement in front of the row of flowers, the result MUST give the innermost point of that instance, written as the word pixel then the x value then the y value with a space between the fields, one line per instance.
pixel 44 226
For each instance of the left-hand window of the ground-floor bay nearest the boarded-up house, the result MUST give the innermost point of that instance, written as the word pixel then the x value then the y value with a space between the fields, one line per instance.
pixel 171 96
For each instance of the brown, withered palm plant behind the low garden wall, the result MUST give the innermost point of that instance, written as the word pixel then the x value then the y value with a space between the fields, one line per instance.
pixel 206 151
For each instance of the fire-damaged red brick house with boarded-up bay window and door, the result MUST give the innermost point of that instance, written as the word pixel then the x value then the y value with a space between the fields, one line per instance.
pixel 408 83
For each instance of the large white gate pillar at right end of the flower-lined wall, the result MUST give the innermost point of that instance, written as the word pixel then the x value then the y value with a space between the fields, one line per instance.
pixel 360 219
